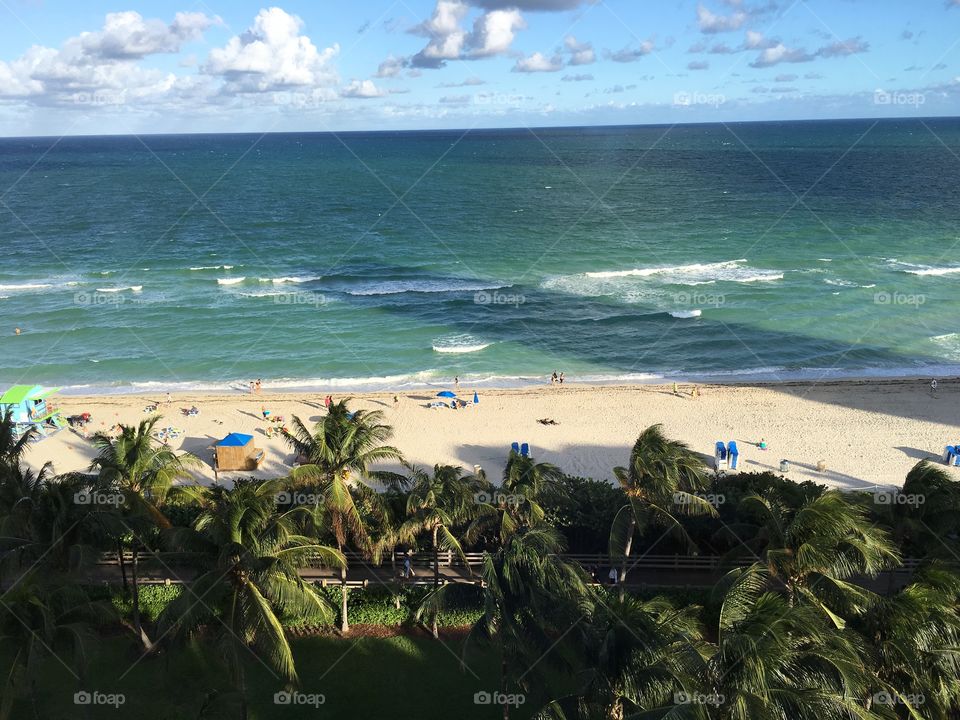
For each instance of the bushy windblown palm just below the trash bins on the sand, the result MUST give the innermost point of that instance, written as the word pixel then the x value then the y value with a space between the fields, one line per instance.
pixel 817 549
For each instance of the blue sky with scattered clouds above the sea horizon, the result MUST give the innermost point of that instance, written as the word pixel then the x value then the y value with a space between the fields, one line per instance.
pixel 174 66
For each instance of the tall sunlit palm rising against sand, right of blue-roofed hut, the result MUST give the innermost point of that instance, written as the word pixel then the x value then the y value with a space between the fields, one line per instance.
pixel 341 447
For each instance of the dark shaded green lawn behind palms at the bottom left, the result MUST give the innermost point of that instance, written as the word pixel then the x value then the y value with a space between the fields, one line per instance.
pixel 398 677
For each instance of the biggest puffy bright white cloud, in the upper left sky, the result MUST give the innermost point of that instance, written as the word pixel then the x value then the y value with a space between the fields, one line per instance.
pixel 272 55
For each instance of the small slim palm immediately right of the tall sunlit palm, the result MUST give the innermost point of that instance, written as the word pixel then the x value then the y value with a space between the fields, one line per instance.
pixel 436 504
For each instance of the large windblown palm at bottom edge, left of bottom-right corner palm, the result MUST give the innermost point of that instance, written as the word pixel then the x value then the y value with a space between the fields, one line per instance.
pixel 774 660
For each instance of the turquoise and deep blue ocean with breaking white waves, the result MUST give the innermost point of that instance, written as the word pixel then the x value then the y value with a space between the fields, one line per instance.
pixel 365 260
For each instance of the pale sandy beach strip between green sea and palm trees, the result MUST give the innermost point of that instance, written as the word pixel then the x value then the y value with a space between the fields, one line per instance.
pixel 867 433
